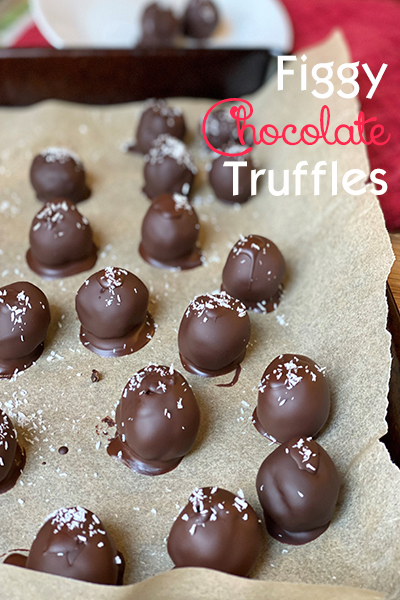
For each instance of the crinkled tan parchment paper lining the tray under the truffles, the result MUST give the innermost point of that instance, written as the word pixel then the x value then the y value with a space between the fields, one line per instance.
pixel 334 310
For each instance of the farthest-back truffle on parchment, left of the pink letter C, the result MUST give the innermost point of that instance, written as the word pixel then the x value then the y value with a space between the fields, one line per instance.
pixel 158 118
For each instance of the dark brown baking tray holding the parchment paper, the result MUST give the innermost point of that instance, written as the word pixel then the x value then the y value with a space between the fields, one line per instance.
pixel 103 77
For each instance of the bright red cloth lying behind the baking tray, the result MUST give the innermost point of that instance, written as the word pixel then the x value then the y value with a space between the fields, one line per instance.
pixel 372 29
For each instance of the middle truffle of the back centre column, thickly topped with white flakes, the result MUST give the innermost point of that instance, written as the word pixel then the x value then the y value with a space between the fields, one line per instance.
pixel 169 168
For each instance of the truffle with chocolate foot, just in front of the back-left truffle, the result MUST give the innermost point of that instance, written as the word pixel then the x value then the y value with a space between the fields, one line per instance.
pixel 61 241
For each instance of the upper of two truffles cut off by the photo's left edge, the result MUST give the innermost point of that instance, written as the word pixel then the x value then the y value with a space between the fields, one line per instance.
pixel 24 319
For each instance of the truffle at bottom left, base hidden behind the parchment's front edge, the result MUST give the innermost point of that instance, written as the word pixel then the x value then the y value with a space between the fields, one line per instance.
pixel 73 543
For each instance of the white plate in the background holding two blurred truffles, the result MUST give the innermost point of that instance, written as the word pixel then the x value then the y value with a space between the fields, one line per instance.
pixel 116 23
